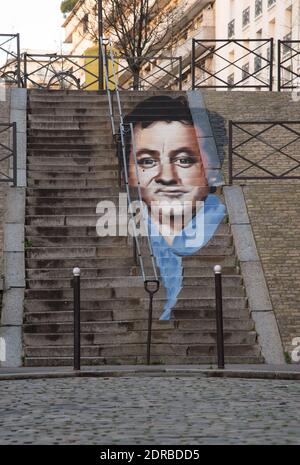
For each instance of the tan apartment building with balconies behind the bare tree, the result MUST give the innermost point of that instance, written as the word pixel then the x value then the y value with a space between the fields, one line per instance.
pixel 194 19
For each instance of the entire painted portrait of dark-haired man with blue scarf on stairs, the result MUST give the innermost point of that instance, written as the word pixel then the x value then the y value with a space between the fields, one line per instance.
pixel 172 158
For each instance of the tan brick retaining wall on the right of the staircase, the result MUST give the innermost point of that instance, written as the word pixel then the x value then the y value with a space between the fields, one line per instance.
pixel 273 206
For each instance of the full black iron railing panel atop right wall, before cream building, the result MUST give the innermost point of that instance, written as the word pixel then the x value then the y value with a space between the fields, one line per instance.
pixel 232 64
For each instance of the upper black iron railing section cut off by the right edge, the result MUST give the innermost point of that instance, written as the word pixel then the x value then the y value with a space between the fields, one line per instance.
pixel 288 65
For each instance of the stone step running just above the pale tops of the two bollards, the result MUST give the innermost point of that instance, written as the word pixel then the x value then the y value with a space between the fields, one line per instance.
pixel 103 262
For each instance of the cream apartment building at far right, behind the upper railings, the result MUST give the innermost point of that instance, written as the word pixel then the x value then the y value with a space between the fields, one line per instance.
pixel 243 20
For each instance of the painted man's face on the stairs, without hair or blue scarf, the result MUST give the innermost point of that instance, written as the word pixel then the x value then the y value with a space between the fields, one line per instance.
pixel 170 167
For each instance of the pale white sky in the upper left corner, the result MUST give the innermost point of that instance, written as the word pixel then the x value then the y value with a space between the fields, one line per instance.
pixel 38 21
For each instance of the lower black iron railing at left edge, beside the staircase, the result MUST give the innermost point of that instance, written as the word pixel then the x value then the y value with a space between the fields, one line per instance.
pixel 8 152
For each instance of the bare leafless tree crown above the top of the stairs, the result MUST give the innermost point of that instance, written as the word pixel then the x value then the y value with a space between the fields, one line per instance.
pixel 138 27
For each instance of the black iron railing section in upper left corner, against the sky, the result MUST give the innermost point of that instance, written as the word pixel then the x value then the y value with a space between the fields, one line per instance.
pixel 10 59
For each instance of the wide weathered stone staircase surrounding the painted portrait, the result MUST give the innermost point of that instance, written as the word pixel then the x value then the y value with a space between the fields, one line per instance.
pixel 71 167
